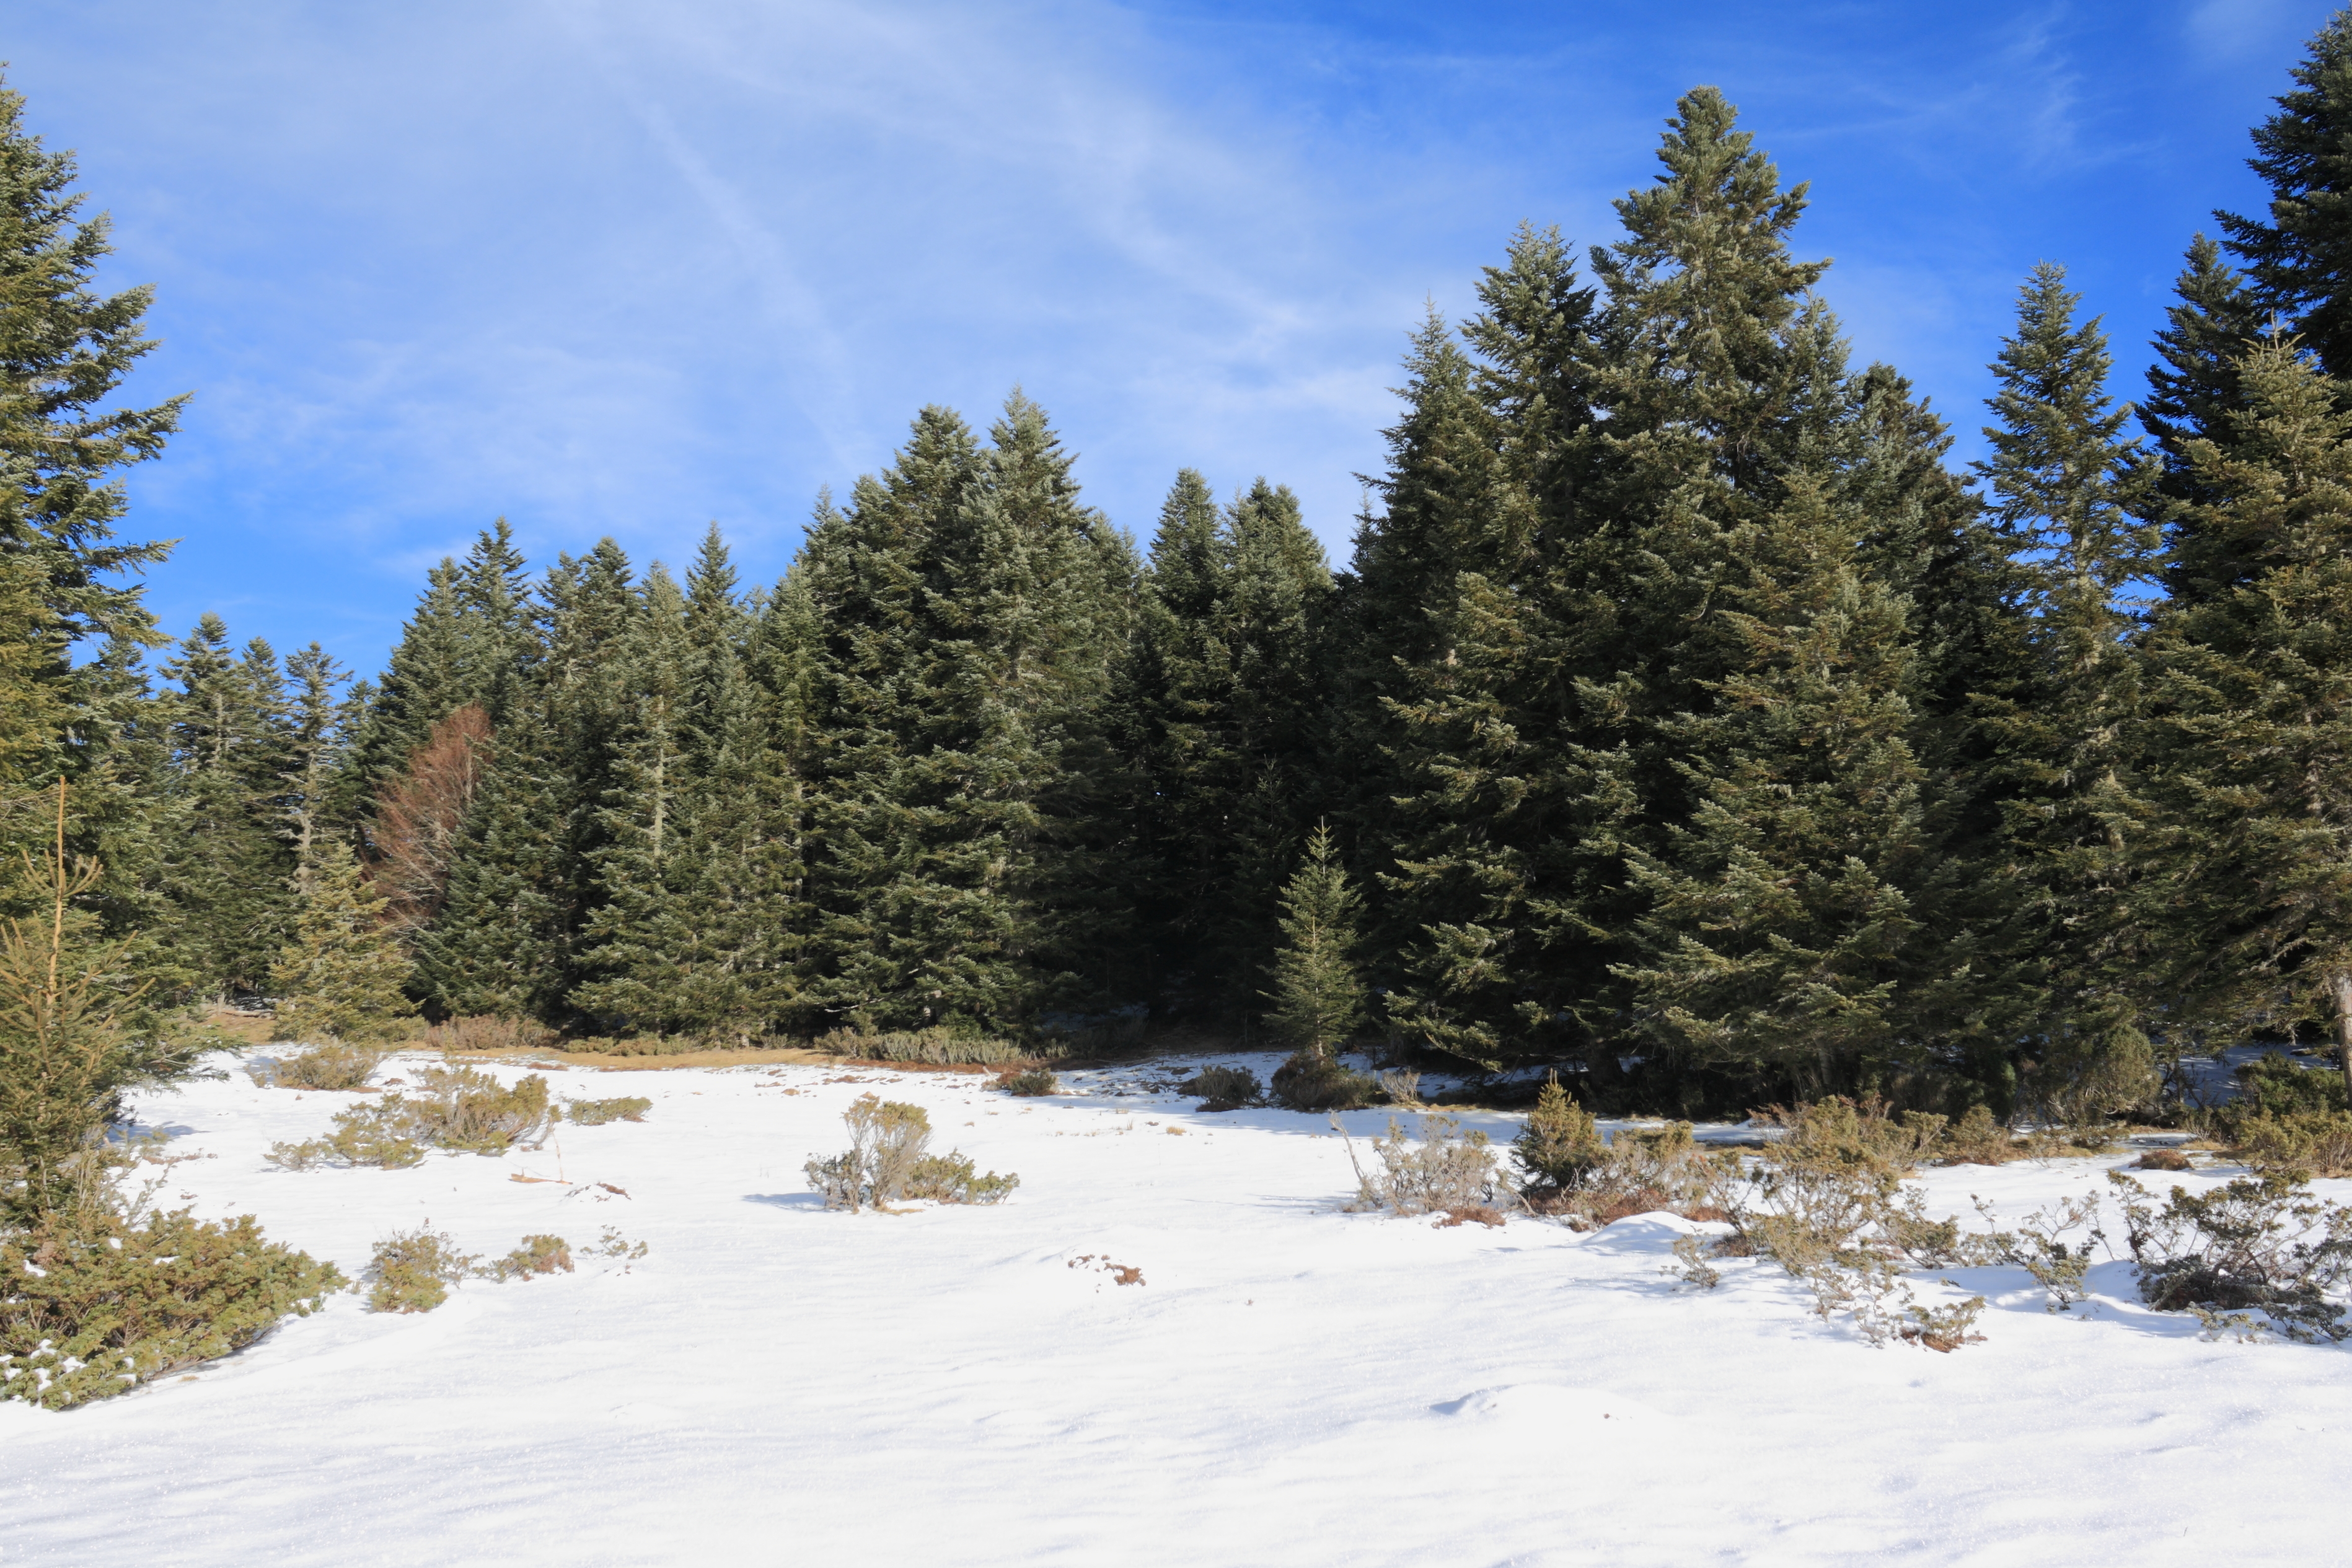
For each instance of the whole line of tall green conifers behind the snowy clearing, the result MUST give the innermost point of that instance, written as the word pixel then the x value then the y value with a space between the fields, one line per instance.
pixel 1683 716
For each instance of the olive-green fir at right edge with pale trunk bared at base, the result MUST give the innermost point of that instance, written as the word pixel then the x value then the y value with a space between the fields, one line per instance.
pixel 2247 897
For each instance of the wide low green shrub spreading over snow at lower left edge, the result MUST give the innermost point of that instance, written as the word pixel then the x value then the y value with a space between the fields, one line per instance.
pixel 98 1304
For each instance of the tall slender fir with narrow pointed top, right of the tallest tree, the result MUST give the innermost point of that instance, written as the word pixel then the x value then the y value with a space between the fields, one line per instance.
pixel 2071 497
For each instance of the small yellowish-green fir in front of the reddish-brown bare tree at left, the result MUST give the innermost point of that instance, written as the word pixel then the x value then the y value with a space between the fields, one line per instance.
pixel 340 972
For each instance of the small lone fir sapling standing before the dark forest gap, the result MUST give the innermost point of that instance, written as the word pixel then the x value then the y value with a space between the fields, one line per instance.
pixel 1318 998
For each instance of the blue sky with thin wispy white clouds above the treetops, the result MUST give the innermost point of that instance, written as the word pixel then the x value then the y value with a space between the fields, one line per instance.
pixel 629 269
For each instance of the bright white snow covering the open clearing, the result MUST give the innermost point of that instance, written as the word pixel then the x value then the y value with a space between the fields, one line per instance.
pixel 1285 1386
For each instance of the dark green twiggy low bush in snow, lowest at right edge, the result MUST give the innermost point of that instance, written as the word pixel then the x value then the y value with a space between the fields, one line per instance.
pixel 2250 1247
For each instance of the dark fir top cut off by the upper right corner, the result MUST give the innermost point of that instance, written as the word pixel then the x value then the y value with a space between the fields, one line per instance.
pixel 2301 253
